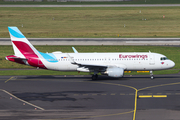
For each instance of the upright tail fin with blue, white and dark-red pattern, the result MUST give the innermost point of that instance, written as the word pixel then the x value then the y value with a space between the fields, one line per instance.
pixel 21 45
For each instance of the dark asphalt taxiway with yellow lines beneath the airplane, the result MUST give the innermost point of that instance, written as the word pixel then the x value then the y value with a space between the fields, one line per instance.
pixel 77 97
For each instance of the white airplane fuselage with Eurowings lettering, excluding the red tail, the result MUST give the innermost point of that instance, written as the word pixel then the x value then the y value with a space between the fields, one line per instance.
pixel 128 61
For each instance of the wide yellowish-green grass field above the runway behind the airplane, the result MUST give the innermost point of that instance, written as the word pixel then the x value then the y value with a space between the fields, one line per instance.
pixel 92 22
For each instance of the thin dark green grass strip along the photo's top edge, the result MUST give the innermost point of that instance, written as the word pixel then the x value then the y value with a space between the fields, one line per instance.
pixel 92 3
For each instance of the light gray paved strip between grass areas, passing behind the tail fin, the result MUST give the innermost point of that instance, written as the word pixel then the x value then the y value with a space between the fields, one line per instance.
pixel 98 41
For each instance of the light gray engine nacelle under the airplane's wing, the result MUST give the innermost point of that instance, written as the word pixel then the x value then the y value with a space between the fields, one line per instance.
pixel 115 72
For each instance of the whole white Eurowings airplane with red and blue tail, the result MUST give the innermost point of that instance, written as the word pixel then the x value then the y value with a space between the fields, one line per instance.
pixel 111 64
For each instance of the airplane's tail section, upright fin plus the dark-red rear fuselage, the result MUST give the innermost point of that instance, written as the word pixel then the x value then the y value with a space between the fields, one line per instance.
pixel 25 52
